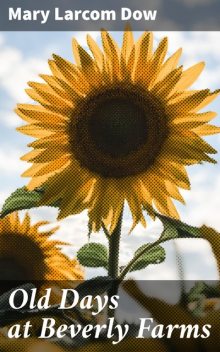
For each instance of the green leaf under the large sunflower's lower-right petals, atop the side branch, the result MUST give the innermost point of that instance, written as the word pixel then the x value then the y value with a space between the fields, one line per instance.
pixel 177 229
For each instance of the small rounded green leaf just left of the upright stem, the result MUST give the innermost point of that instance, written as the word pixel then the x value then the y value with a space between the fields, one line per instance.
pixel 93 255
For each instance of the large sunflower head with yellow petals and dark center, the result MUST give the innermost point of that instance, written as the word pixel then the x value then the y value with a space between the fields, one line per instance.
pixel 120 125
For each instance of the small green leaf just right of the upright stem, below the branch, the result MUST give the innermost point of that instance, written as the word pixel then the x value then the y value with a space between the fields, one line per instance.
pixel 154 255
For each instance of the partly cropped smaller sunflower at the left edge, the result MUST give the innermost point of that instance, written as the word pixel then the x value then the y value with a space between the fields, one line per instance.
pixel 26 254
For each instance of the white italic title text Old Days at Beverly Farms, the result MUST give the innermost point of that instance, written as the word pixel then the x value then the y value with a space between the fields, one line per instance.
pixel 97 304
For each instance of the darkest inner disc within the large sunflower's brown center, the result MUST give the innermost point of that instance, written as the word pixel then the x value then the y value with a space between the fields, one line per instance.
pixel 118 127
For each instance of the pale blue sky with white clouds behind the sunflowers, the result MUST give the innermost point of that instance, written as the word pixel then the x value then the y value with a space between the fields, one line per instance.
pixel 24 55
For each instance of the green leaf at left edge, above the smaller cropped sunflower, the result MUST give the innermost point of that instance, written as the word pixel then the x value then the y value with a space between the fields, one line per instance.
pixel 22 199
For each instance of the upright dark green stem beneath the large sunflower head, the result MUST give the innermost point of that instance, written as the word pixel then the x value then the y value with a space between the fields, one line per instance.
pixel 113 264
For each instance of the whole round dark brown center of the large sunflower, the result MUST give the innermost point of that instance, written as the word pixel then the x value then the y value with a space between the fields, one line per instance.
pixel 118 132
